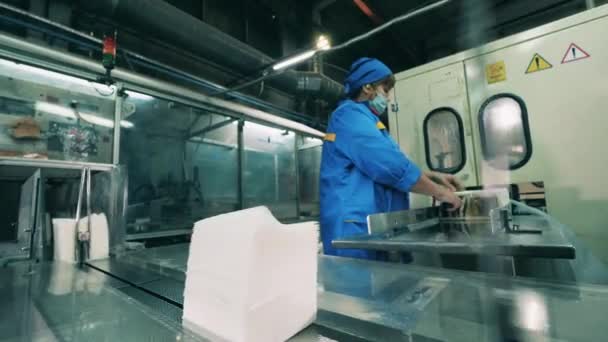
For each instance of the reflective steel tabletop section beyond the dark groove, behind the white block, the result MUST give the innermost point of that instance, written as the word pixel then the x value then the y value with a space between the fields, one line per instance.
pixel 382 301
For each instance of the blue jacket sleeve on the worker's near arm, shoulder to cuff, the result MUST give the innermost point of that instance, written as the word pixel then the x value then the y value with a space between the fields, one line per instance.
pixel 358 138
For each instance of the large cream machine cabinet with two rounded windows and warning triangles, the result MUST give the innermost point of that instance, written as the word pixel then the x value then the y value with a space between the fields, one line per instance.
pixel 523 109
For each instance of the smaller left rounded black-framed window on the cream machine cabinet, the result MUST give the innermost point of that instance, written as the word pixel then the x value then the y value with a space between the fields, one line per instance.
pixel 444 140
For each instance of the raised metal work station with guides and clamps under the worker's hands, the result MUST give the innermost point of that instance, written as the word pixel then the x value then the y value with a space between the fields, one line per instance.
pixel 483 235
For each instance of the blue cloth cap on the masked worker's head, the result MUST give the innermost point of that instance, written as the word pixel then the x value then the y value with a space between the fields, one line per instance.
pixel 365 71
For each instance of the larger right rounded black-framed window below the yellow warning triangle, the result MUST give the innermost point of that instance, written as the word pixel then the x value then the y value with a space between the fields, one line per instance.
pixel 505 134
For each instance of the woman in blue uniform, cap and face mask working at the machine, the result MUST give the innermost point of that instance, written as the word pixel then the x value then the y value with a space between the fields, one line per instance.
pixel 363 171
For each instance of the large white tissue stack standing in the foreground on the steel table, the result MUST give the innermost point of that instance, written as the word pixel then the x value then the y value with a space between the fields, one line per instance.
pixel 251 278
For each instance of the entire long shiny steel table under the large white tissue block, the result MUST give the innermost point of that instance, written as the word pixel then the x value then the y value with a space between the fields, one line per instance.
pixel 358 300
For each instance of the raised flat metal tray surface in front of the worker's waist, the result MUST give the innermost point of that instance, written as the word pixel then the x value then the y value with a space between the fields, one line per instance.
pixel 471 238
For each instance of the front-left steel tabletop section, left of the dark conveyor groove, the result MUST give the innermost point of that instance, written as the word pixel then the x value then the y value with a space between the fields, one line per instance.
pixel 60 302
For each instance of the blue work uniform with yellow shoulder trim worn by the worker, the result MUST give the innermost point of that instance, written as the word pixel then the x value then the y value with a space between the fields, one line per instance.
pixel 363 172
